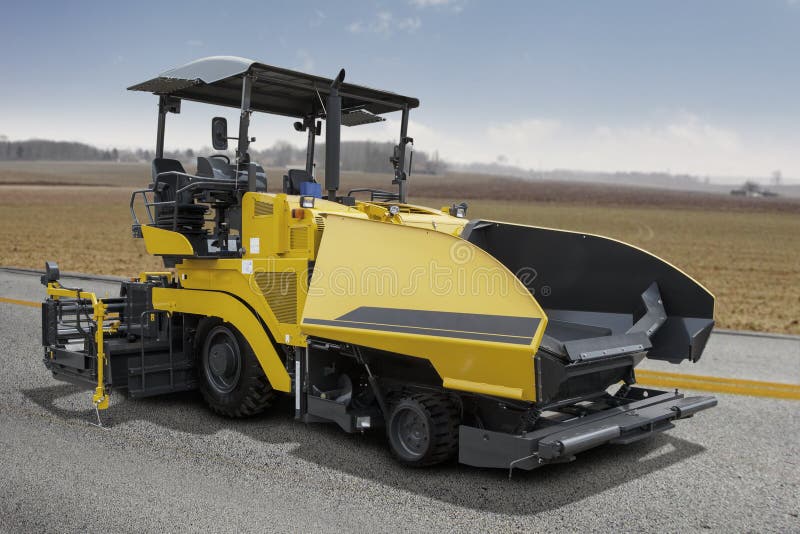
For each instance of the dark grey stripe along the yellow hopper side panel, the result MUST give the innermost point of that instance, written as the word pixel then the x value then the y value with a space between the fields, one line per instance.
pixel 463 322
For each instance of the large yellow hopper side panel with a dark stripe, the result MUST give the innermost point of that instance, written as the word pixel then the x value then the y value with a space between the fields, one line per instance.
pixel 366 265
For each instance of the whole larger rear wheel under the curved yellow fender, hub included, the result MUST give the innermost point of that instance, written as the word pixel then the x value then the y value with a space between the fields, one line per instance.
pixel 232 381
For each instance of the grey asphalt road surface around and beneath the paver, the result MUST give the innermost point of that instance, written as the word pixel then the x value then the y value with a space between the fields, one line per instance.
pixel 169 464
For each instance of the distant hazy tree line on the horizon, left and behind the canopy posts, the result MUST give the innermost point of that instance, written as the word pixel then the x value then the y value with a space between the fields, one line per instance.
pixel 365 156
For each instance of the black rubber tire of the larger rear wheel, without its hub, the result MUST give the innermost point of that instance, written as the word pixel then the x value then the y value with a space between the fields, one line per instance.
pixel 252 394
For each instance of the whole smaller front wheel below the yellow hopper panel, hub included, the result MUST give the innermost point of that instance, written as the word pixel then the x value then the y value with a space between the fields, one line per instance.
pixel 423 429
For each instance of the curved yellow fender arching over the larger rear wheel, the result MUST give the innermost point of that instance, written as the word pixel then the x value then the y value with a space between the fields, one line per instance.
pixel 227 308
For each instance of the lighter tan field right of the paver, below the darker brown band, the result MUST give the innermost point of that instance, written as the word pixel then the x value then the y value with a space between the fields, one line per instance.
pixel 749 260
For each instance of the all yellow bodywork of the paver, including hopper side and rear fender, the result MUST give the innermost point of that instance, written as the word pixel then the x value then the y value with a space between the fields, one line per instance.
pixel 485 326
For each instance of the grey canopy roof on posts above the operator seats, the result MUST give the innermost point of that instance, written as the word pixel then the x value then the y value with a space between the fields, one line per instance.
pixel 218 80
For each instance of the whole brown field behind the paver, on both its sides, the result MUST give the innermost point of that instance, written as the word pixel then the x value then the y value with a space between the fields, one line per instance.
pixel 744 250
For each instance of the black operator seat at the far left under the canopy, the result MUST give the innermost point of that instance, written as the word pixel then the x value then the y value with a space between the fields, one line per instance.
pixel 169 177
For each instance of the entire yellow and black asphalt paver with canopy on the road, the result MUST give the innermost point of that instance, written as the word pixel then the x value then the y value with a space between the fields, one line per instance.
pixel 503 345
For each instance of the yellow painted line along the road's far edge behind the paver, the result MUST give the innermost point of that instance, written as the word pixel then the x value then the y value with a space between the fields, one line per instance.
pixel 735 386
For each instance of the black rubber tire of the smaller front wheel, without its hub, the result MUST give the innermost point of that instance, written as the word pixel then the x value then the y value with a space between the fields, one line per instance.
pixel 442 417
